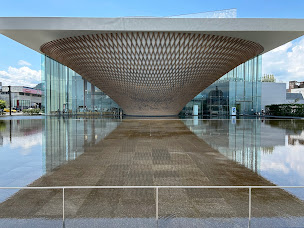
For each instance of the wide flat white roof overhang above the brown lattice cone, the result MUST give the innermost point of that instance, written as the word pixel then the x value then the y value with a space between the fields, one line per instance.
pixel 35 31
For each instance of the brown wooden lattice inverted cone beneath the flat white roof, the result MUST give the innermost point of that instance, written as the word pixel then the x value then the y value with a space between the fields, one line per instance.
pixel 151 73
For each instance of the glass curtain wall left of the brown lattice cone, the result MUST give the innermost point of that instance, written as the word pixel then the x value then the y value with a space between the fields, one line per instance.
pixel 66 92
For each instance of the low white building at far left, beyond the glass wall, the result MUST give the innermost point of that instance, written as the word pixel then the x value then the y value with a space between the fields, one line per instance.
pixel 22 97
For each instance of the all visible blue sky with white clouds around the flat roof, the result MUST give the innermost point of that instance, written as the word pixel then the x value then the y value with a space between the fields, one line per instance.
pixel 20 65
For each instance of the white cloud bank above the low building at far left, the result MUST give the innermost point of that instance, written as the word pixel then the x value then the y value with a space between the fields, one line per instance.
pixel 23 76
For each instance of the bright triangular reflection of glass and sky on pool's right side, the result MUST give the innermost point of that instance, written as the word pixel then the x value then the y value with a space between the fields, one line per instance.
pixel 272 148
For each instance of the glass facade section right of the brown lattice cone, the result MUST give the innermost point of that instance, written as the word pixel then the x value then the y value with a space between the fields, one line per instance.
pixel 240 88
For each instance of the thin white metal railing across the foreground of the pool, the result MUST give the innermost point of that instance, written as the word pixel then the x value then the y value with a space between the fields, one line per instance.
pixel 156 188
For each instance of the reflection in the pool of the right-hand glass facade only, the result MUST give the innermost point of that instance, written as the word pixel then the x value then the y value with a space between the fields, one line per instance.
pixel 239 141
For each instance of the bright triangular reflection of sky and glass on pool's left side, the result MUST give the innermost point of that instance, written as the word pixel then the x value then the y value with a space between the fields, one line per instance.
pixel 31 148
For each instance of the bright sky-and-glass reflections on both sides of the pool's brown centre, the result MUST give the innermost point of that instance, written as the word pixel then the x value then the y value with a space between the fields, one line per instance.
pixel 31 148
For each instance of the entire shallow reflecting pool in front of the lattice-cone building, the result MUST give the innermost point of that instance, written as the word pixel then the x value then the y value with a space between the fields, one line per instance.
pixel 42 152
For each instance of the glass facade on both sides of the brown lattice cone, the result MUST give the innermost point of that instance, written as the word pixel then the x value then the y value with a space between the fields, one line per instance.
pixel 67 92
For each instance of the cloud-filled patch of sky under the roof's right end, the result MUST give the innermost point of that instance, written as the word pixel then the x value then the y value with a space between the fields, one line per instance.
pixel 286 62
